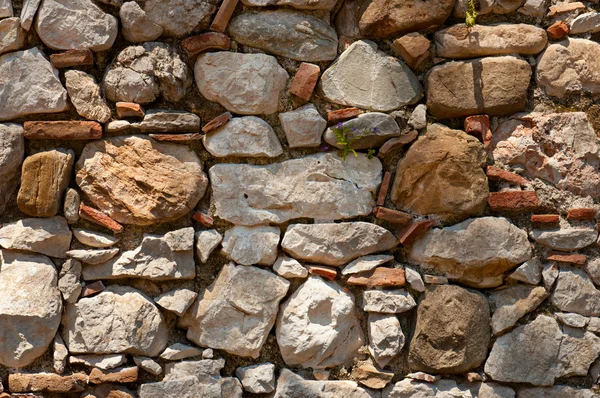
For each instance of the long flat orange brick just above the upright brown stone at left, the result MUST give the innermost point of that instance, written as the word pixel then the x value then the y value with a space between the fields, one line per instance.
pixel 63 130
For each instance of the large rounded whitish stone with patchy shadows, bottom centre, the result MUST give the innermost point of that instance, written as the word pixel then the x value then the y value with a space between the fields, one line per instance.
pixel 317 326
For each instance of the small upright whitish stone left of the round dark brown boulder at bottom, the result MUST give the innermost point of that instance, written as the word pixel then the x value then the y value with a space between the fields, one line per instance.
pixel 386 339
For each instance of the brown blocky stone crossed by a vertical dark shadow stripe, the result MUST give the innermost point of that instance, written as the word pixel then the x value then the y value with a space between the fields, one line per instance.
pixel 492 85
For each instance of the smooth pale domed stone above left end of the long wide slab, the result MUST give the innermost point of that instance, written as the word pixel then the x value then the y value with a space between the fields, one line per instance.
pixel 247 136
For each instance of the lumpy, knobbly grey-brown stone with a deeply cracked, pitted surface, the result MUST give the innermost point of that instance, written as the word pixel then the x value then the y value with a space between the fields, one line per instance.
pixel 141 73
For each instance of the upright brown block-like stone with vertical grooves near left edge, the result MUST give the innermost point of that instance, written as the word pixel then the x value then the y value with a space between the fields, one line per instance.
pixel 45 177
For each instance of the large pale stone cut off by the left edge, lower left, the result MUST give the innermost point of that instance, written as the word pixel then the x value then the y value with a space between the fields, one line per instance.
pixel 30 307
